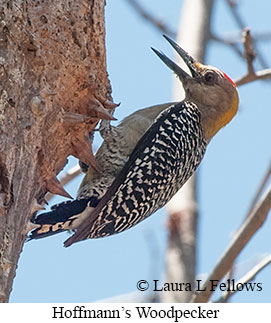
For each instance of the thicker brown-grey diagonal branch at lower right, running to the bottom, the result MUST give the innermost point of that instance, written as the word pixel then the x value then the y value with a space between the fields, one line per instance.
pixel 253 222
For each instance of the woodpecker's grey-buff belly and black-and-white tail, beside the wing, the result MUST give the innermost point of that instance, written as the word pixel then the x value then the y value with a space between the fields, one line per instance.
pixel 114 152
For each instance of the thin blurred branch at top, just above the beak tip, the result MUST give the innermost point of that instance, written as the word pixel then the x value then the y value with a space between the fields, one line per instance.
pixel 155 22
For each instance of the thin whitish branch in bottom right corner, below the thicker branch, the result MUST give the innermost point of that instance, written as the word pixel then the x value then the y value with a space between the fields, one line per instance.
pixel 249 276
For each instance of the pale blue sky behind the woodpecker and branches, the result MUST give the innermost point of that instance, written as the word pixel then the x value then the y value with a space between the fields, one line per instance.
pixel 229 175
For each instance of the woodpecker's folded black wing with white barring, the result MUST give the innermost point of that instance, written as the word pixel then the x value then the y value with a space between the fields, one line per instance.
pixel 162 161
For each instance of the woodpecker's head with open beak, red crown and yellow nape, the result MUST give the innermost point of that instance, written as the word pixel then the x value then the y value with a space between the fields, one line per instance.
pixel 214 93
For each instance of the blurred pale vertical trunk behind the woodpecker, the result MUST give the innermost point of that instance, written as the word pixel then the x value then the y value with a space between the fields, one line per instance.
pixel 182 209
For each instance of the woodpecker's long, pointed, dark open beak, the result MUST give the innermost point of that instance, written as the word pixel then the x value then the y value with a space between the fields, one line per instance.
pixel 189 61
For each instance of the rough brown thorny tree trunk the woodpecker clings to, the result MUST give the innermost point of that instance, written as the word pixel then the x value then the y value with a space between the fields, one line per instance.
pixel 53 89
